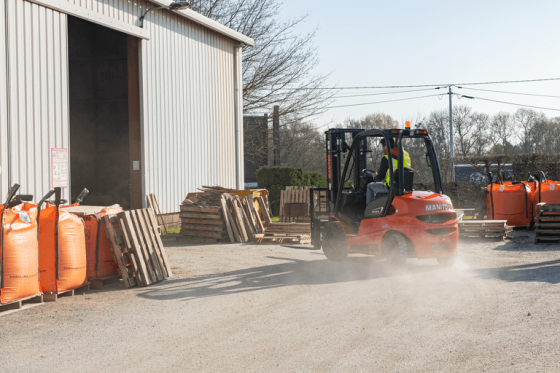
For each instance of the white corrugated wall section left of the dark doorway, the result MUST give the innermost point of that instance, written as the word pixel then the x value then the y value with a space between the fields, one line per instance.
pixel 37 91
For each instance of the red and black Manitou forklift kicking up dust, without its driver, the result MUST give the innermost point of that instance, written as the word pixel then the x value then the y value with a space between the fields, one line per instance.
pixel 402 223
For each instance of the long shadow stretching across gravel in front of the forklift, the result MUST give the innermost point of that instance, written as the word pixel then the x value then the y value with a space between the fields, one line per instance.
pixel 288 273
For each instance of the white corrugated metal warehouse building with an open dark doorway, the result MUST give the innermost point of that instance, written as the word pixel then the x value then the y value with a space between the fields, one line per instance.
pixel 134 110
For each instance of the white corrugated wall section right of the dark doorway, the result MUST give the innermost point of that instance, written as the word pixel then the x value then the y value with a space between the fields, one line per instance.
pixel 188 109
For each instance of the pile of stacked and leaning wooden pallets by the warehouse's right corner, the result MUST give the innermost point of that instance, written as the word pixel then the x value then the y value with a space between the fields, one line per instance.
pixel 217 215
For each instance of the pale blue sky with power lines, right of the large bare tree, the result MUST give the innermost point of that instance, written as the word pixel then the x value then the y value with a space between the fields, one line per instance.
pixel 379 43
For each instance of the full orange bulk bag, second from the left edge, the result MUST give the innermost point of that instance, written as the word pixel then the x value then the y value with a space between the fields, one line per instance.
pixel 62 256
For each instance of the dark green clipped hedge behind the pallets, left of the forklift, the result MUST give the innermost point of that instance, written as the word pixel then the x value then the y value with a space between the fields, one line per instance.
pixel 277 178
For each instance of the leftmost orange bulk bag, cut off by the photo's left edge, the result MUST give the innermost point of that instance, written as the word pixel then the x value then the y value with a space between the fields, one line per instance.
pixel 19 253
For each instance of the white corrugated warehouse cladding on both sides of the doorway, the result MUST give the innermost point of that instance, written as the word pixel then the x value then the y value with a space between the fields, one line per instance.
pixel 187 99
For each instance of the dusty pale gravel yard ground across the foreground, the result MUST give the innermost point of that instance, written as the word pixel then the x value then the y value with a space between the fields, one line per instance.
pixel 254 308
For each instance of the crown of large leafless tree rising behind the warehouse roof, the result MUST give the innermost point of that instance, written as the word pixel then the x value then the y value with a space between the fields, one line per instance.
pixel 277 70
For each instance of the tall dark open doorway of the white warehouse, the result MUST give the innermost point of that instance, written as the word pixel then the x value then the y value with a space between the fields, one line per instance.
pixel 105 145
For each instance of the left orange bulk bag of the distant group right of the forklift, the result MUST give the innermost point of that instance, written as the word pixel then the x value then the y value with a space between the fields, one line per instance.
pixel 511 201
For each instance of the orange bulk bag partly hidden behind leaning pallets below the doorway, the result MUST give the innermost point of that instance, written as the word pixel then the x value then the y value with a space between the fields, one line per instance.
pixel 100 258
